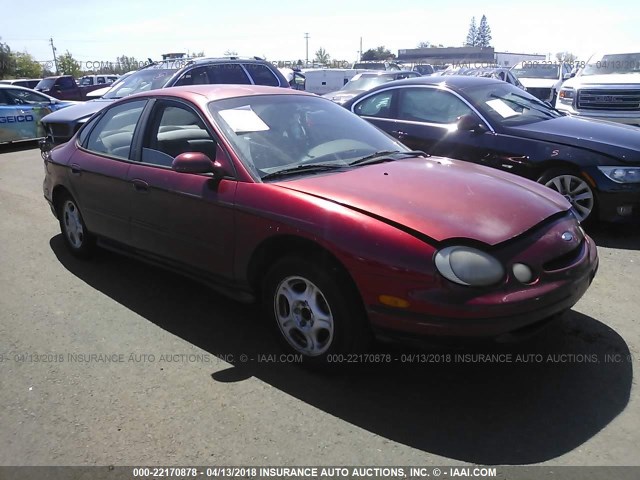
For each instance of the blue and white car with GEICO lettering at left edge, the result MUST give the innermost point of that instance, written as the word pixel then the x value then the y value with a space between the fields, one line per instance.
pixel 21 112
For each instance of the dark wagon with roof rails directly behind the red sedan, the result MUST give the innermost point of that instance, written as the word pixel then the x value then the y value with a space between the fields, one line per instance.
pixel 167 73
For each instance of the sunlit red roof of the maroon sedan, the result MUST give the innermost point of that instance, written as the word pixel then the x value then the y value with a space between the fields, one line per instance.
pixel 203 94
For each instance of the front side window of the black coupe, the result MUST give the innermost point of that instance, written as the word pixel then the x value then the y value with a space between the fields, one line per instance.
pixel 430 105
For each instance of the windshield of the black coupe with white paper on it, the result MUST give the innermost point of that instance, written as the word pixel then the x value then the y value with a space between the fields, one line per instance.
pixel 510 106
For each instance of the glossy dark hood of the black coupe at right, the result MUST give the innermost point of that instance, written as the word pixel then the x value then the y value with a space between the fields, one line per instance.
pixel 600 136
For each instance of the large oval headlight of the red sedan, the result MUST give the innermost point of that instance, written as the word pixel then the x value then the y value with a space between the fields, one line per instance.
pixel 468 266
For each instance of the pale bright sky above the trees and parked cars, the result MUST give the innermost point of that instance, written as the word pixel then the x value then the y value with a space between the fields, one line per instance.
pixel 101 31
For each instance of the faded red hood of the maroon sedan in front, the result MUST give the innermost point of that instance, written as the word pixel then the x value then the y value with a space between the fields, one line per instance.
pixel 439 198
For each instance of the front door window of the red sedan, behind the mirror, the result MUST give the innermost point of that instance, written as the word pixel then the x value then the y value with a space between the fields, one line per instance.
pixel 175 129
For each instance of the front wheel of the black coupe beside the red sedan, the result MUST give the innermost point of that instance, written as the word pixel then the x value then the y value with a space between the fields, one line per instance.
pixel 585 209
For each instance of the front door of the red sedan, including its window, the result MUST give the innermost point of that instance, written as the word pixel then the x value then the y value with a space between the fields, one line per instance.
pixel 180 217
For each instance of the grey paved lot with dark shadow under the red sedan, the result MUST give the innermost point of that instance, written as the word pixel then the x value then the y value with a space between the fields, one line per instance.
pixel 168 398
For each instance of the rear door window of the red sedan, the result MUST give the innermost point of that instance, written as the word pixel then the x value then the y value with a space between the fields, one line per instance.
pixel 114 132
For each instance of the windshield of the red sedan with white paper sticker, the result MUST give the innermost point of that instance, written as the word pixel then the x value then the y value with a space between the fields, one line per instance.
pixel 272 133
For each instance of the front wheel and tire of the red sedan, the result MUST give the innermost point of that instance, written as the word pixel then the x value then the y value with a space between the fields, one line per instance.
pixel 307 331
